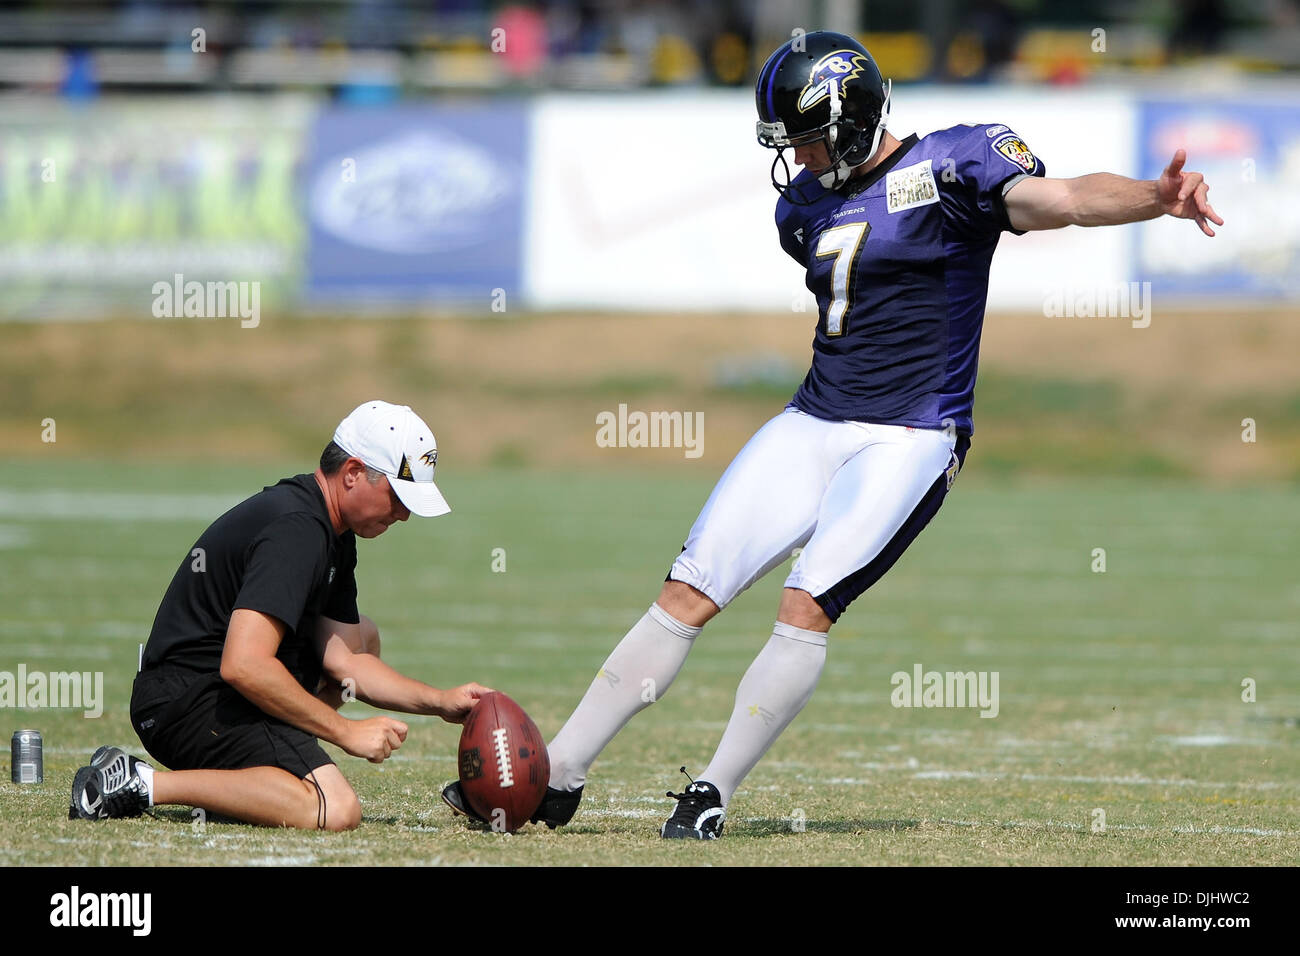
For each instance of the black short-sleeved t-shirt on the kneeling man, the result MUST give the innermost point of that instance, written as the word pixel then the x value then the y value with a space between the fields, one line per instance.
pixel 275 553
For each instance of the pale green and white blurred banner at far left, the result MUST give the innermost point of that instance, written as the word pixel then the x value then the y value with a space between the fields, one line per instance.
pixel 101 201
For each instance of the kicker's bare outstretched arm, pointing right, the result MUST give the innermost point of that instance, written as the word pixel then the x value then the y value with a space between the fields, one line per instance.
pixel 1106 200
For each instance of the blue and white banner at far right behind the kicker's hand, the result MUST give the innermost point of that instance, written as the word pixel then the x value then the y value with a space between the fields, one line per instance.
pixel 1249 150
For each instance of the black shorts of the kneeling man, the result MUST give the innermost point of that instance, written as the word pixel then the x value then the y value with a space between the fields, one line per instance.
pixel 192 721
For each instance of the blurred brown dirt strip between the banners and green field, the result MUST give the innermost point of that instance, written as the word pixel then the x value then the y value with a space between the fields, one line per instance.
pixel 525 391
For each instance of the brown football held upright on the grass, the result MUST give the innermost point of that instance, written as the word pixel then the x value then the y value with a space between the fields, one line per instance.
pixel 504 763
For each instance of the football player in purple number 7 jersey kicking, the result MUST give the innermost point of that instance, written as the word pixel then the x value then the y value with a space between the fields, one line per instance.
pixel 896 237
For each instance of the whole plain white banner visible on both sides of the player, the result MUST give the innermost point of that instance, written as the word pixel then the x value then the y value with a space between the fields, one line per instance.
pixel 690 197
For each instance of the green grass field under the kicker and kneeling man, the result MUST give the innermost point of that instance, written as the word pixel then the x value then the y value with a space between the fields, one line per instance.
pixel 1119 693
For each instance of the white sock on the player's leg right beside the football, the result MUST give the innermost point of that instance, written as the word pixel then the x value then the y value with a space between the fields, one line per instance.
pixel 636 674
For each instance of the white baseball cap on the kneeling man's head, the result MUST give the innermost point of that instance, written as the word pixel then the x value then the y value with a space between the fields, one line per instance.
pixel 395 440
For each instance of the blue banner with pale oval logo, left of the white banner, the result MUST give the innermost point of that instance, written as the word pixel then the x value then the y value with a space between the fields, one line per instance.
pixel 419 205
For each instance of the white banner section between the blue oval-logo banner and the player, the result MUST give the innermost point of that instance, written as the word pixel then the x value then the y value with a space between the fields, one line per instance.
pixel 669 207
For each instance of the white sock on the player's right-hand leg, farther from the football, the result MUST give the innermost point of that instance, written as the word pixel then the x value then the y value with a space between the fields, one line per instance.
pixel 773 691
